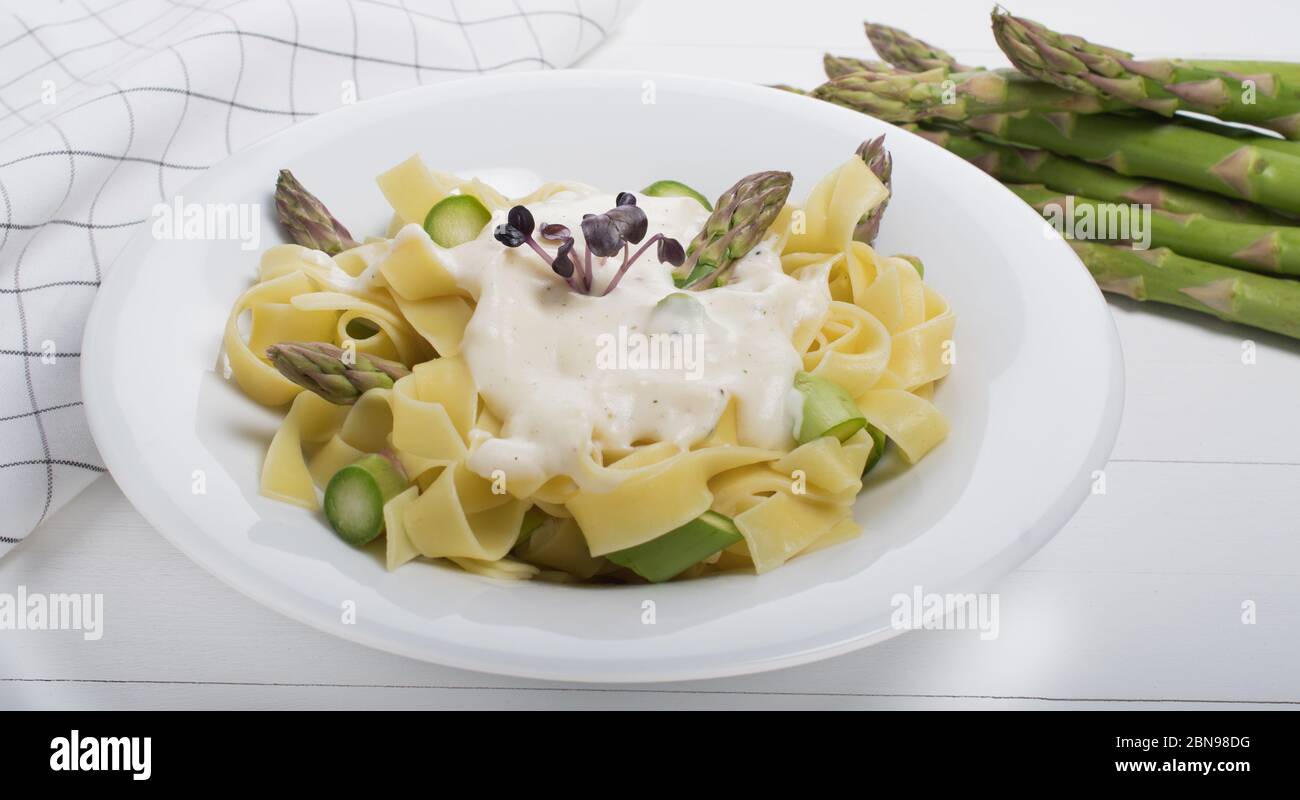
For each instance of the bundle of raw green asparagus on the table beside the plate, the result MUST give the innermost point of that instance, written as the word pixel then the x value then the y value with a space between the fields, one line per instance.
pixel 1089 127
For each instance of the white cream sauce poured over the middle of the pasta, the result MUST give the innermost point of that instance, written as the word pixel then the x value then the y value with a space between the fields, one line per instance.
pixel 567 373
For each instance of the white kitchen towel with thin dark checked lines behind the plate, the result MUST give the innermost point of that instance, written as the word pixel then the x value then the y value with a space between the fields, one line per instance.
pixel 109 107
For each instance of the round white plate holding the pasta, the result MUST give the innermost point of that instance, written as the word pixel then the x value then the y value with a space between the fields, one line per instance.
pixel 1034 400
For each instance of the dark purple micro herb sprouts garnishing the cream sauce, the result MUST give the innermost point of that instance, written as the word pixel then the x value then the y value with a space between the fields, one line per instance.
pixel 604 236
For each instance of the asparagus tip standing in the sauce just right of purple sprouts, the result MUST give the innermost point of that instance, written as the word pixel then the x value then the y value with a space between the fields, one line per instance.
pixel 740 220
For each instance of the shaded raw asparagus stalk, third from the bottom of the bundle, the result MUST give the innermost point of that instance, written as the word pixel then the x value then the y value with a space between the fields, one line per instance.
pixel 1028 166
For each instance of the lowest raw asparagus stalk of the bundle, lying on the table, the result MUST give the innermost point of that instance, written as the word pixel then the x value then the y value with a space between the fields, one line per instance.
pixel 1163 276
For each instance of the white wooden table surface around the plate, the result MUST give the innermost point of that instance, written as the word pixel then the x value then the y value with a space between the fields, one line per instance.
pixel 1137 603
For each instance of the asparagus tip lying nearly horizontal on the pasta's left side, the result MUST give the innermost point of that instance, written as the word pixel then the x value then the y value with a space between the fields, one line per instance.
pixel 326 370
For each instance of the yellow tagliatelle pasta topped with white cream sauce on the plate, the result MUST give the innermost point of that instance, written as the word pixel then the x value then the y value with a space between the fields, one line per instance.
pixel 522 455
